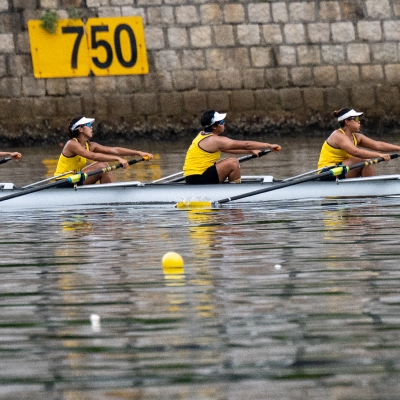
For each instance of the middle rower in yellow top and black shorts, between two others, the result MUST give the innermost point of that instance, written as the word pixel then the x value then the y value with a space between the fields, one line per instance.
pixel 202 164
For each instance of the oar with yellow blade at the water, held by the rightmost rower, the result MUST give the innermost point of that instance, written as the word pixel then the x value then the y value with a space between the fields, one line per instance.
pixel 332 172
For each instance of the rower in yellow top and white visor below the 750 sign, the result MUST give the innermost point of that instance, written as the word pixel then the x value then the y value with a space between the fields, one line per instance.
pixel 79 148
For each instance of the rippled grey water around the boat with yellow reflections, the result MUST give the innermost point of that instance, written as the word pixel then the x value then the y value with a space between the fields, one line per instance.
pixel 275 301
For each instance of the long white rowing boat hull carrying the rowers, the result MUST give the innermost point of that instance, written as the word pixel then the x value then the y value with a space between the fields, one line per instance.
pixel 138 193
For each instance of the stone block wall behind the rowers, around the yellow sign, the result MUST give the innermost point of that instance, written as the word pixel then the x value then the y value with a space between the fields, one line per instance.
pixel 273 65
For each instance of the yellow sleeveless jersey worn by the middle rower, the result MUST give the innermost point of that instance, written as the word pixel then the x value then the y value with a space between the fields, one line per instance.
pixel 198 160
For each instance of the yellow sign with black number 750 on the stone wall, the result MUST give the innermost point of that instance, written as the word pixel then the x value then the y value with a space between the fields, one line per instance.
pixel 104 46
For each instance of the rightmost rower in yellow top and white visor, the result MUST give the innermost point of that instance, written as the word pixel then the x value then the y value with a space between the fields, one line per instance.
pixel 347 146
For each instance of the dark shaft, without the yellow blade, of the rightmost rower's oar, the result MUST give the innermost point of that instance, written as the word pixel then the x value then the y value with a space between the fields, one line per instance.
pixel 332 172
